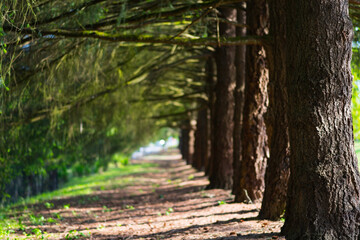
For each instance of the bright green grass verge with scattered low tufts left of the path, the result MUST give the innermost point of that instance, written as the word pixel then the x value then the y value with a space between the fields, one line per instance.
pixel 115 177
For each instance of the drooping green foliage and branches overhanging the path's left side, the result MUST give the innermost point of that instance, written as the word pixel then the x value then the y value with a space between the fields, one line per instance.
pixel 71 107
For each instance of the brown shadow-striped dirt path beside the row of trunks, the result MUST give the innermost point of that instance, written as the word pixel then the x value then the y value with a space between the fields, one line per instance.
pixel 164 200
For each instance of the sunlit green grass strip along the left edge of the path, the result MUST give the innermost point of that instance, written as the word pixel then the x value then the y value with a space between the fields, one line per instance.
pixel 115 177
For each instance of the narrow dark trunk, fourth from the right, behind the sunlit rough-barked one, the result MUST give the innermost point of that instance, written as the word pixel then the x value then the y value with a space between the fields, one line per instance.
pixel 239 98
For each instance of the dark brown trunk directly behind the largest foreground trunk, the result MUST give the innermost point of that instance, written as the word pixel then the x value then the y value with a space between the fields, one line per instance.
pixel 278 169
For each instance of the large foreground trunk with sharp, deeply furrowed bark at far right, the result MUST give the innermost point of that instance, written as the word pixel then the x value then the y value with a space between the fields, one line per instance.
pixel 323 196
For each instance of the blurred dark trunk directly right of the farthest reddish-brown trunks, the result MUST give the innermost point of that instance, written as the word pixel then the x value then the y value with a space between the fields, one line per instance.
pixel 201 139
